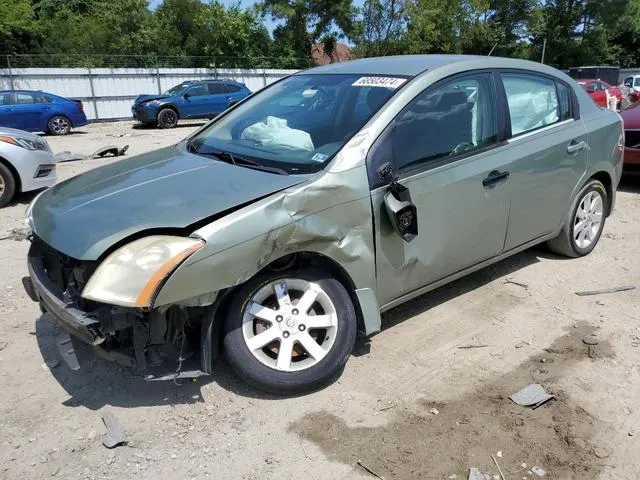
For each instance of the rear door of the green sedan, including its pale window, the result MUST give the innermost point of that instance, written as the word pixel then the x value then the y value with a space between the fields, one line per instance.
pixel 548 145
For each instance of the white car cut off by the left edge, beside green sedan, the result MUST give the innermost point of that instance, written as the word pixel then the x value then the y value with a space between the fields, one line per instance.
pixel 26 163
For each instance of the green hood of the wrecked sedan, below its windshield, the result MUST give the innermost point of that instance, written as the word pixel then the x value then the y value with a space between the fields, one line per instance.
pixel 168 188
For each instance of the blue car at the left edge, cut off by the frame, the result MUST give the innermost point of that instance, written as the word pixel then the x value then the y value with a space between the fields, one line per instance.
pixel 36 111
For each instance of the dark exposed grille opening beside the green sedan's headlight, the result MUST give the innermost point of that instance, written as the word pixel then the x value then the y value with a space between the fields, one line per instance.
pixel 67 274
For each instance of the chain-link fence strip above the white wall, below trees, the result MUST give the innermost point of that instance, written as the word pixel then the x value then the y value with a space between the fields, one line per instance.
pixel 13 61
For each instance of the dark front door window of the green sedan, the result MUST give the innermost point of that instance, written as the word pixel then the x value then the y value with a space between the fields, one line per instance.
pixel 445 121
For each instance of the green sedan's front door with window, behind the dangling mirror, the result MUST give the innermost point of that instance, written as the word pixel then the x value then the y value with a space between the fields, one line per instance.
pixel 445 148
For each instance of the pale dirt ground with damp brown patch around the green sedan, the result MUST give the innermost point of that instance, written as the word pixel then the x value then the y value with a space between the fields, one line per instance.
pixel 427 398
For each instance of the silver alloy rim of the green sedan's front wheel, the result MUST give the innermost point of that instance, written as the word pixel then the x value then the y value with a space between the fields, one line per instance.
pixel 289 324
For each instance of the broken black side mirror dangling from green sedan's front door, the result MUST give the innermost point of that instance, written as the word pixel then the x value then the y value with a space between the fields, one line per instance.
pixel 402 213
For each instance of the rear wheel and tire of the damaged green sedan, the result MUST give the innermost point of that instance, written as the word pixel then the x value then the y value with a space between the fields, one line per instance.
pixel 584 223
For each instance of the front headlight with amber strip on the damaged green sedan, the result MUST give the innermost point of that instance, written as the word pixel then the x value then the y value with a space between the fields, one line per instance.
pixel 133 275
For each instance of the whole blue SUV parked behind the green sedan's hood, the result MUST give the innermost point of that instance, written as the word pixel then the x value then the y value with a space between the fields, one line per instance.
pixel 191 99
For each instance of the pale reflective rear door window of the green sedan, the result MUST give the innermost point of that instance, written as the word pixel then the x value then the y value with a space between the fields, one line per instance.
pixel 532 100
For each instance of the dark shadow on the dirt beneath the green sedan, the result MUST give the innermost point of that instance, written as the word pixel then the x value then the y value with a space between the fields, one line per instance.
pixel 99 382
